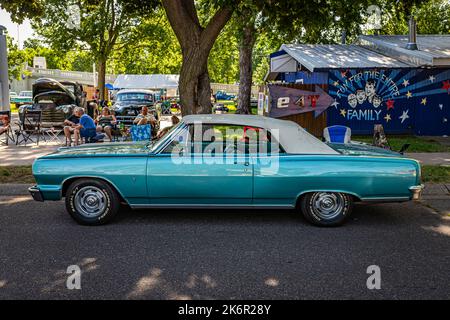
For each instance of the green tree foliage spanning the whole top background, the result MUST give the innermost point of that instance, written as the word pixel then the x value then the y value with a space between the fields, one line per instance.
pixel 137 38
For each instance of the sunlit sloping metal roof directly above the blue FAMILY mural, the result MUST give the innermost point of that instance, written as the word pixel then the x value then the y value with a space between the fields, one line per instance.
pixel 323 57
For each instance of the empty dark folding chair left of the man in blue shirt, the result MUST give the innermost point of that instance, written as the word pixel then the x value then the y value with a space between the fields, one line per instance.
pixel 29 126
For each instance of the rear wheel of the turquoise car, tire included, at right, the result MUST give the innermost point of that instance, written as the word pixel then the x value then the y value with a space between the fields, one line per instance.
pixel 326 209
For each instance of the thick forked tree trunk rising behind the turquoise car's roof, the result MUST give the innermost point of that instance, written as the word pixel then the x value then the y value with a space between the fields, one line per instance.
pixel 196 42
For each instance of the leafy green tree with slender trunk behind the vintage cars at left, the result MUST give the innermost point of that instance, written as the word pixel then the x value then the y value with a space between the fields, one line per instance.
pixel 98 26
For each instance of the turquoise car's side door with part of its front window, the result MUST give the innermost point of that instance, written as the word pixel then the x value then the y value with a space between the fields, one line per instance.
pixel 191 171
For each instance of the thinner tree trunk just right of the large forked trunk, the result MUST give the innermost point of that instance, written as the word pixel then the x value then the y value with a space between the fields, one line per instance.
pixel 246 45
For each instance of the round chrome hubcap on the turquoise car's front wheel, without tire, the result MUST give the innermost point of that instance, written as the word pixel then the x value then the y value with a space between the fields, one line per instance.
pixel 90 201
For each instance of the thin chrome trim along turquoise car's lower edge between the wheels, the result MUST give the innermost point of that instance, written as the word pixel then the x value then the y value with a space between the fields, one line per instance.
pixel 205 206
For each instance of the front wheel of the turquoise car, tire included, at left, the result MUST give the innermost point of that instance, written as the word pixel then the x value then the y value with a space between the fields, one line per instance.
pixel 92 202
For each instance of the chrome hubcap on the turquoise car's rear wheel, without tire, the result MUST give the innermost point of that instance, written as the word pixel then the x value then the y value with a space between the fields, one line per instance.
pixel 327 205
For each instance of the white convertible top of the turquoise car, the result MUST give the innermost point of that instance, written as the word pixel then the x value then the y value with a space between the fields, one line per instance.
pixel 292 137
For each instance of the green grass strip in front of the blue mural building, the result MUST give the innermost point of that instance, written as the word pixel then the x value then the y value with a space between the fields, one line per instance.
pixel 417 144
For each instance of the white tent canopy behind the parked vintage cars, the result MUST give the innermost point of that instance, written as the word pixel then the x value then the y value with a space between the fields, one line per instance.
pixel 147 81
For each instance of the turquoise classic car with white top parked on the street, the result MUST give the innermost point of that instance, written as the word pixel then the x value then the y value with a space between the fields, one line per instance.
pixel 226 161
